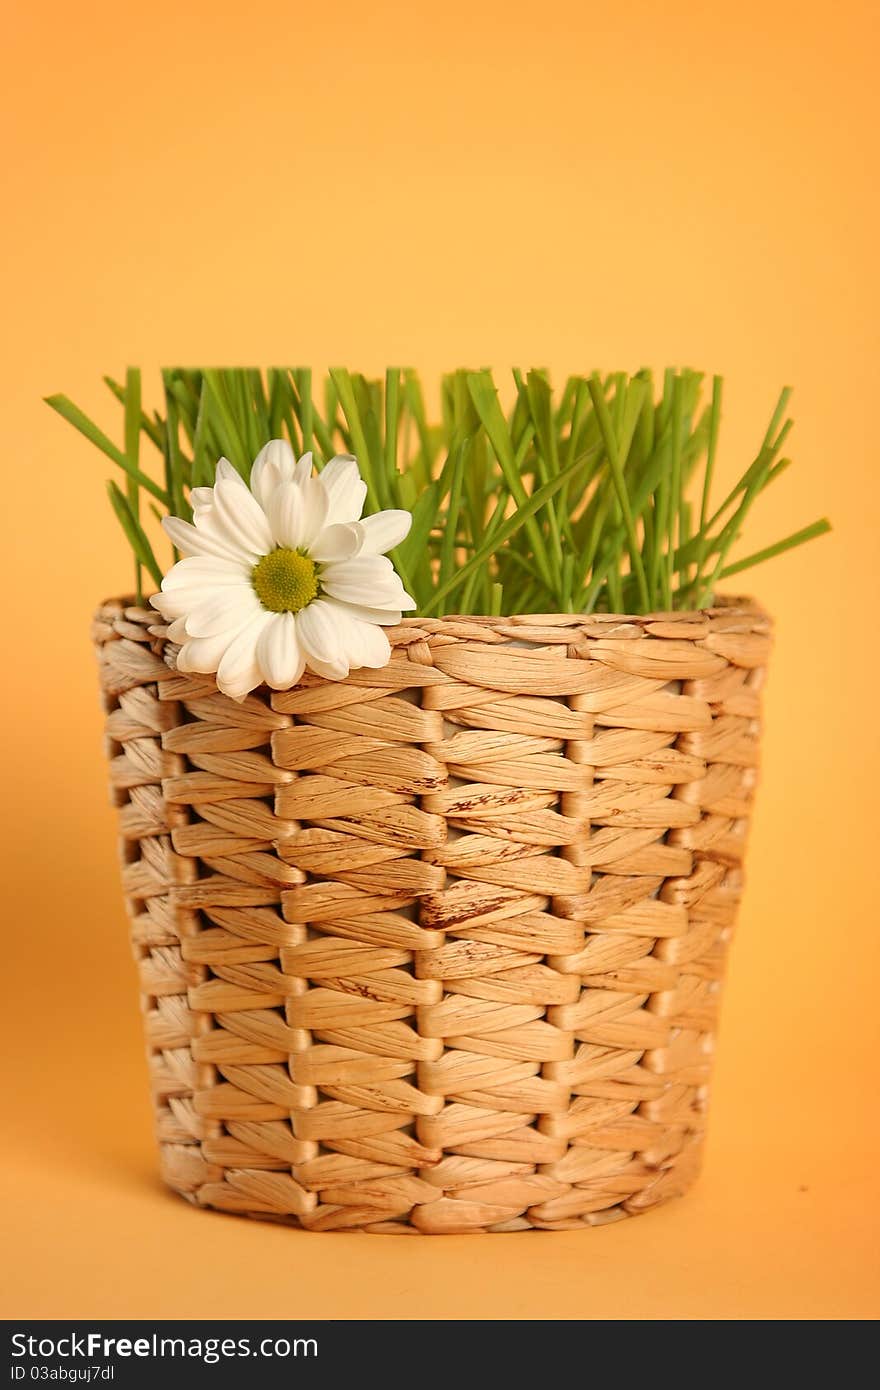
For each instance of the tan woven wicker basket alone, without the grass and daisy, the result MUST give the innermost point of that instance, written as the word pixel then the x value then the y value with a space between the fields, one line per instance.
pixel 439 949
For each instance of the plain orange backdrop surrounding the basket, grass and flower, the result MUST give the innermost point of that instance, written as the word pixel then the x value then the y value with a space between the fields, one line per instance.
pixel 565 186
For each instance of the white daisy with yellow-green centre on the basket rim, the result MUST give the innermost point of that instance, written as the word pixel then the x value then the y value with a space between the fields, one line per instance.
pixel 283 575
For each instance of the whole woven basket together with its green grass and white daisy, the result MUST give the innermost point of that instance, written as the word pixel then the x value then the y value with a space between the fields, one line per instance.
pixel 434 753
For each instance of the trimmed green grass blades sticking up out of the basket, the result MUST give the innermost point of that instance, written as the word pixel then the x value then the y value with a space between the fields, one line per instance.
pixel 598 498
